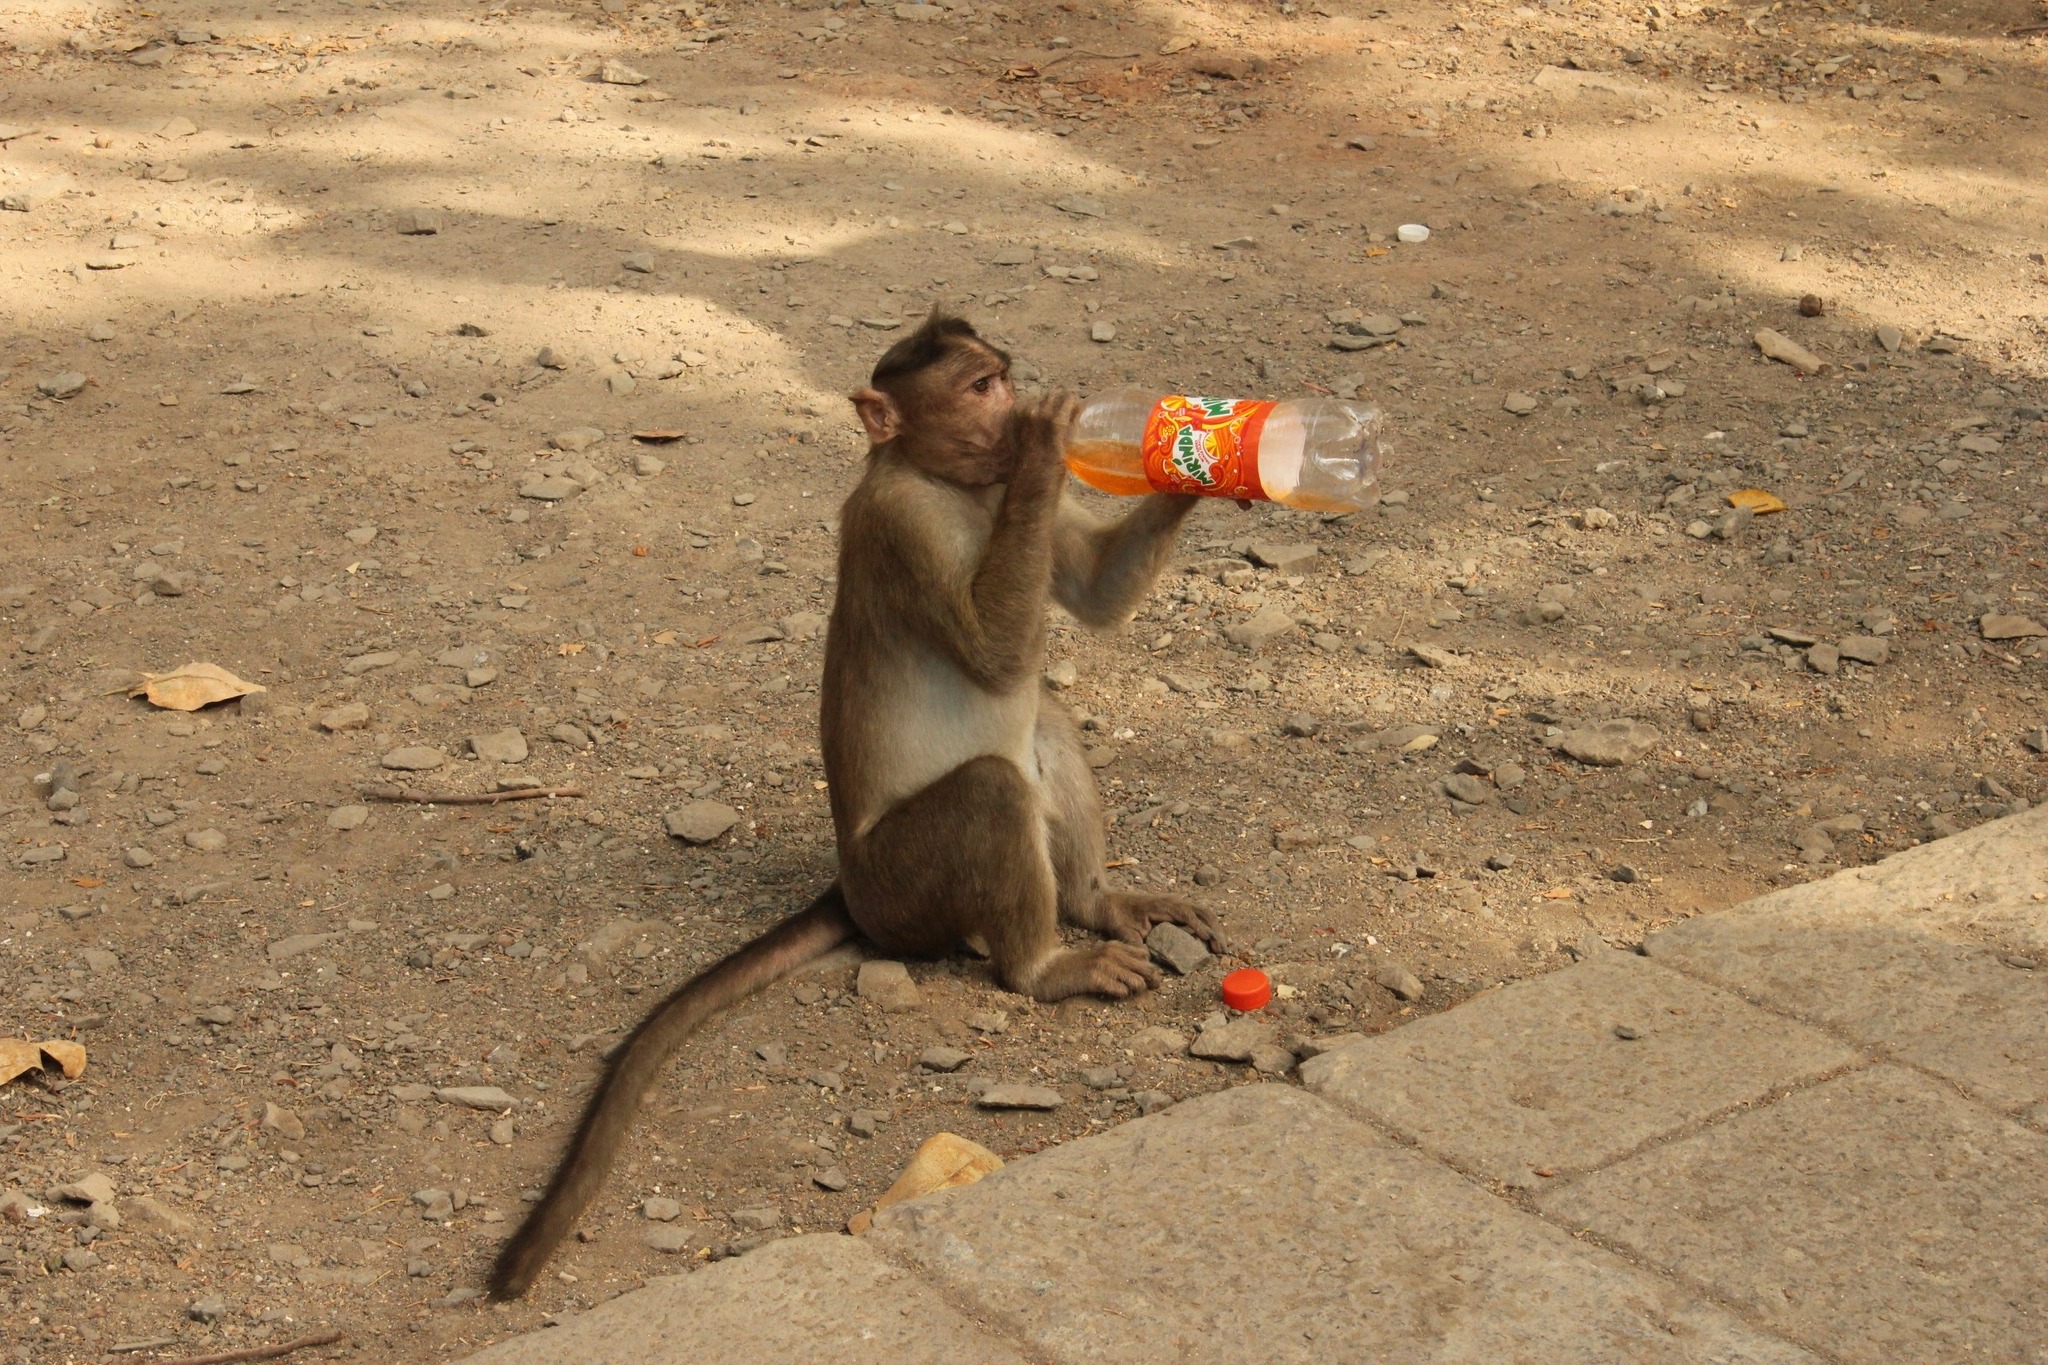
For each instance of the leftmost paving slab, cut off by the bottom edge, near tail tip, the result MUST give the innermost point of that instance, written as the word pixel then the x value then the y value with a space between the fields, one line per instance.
pixel 808 1298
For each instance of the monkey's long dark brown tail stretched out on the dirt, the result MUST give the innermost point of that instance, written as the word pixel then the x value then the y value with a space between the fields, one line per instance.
pixel 636 1067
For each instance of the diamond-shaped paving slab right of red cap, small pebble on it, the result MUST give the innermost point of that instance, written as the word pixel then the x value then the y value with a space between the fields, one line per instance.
pixel 1535 1077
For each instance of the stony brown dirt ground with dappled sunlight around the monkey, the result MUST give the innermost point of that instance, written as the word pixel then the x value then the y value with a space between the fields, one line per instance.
pixel 327 335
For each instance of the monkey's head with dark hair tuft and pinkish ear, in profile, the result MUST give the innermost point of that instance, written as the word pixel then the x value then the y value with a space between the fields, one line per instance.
pixel 943 396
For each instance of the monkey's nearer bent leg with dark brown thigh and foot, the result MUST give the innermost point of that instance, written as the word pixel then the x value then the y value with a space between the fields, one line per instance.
pixel 968 856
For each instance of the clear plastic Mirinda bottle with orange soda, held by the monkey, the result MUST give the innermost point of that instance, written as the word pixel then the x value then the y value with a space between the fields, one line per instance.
pixel 1320 455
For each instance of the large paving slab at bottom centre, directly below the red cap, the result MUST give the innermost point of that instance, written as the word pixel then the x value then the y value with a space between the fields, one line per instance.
pixel 1265 1223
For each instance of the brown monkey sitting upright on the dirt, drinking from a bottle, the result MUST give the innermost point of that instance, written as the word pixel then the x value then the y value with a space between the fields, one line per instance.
pixel 959 795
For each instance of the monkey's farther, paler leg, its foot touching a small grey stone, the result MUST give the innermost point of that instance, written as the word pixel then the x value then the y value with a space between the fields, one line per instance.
pixel 1074 840
